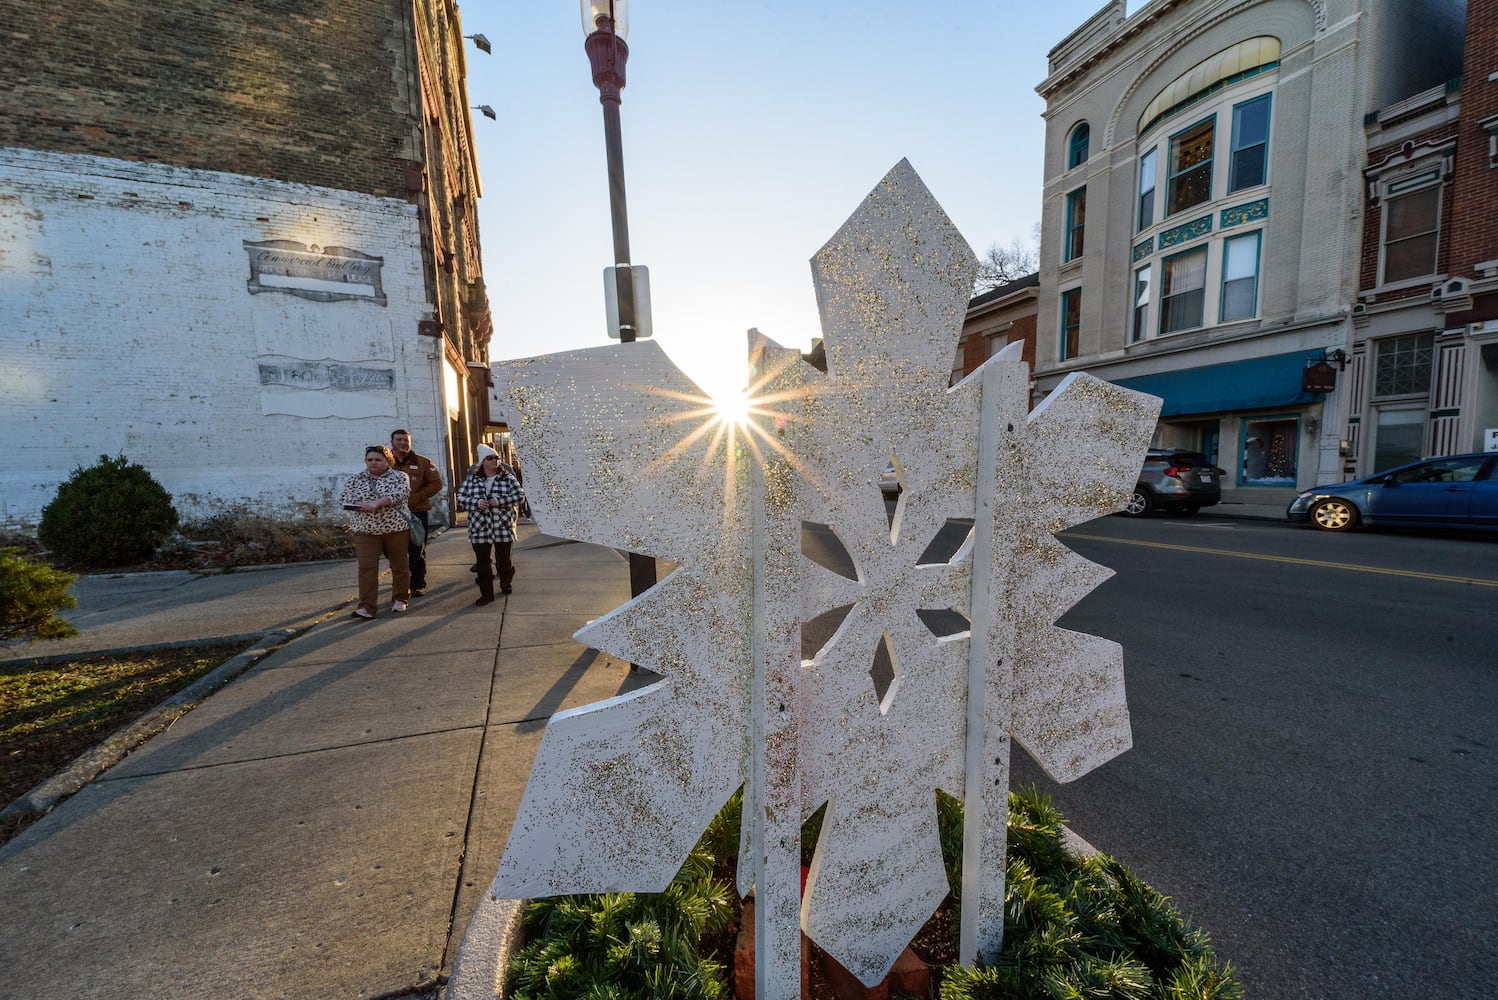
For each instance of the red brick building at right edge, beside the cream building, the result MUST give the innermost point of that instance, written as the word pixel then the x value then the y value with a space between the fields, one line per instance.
pixel 1424 368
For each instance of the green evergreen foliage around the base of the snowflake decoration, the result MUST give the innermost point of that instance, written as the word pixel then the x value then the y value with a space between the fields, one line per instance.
pixel 1073 927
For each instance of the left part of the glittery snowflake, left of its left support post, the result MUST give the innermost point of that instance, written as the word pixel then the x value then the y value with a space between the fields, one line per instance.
pixel 622 790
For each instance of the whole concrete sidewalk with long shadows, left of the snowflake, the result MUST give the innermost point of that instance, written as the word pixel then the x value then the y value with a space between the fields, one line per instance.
pixel 324 826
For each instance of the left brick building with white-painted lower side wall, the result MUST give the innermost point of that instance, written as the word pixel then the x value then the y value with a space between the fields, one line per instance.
pixel 239 243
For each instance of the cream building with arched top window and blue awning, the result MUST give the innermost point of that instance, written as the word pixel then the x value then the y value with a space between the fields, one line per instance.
pixel 1204 207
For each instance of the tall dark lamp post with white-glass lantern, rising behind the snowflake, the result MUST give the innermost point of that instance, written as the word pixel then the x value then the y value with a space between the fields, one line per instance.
pixel 606 25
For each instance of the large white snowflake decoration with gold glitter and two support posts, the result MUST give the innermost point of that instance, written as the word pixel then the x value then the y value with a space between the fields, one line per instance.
pixel 624 451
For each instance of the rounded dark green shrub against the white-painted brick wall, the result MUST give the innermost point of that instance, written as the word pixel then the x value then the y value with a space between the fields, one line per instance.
pixel 109 516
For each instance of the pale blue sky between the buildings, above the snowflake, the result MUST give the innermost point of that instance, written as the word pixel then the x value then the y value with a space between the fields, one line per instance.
pixel 751 131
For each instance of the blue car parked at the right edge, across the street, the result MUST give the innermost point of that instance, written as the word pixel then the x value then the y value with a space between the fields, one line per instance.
pixel 1458 492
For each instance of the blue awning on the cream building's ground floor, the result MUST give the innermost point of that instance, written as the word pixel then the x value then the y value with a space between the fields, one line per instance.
pixel 1255 384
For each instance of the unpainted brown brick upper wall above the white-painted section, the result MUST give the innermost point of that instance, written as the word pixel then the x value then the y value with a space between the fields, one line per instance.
pixel 293 92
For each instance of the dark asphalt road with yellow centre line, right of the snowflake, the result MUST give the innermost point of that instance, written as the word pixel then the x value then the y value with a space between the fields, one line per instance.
pixel 1314 775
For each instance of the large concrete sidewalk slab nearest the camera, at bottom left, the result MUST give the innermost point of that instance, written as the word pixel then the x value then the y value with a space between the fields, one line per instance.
pixel 323 875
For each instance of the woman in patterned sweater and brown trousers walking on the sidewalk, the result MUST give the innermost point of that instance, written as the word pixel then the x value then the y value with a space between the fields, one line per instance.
pixel 378 514
